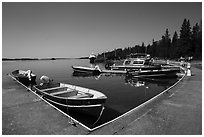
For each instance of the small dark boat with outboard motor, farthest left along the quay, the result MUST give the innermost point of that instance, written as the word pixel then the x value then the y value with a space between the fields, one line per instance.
pixel 23 77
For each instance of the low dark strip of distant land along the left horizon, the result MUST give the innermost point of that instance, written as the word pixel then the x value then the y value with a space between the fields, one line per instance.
pixel 15 59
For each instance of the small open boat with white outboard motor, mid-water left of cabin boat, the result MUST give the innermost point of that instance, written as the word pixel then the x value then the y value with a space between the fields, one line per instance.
pixel 90 70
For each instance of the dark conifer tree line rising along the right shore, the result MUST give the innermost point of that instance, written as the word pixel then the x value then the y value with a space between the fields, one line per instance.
pixel 188 43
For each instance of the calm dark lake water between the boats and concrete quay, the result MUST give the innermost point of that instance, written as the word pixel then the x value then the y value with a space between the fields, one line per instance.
pixel 123 93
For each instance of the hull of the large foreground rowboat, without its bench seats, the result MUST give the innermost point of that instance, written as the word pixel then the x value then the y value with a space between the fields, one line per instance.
pixel 85 105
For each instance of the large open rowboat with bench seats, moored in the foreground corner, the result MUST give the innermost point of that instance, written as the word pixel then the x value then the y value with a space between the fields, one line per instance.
pixel 73 98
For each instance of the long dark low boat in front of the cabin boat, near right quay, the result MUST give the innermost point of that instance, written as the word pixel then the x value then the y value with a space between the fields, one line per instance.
pixel 155 73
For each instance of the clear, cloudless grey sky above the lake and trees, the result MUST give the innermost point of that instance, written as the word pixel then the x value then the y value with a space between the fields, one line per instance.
pixel 77 29
